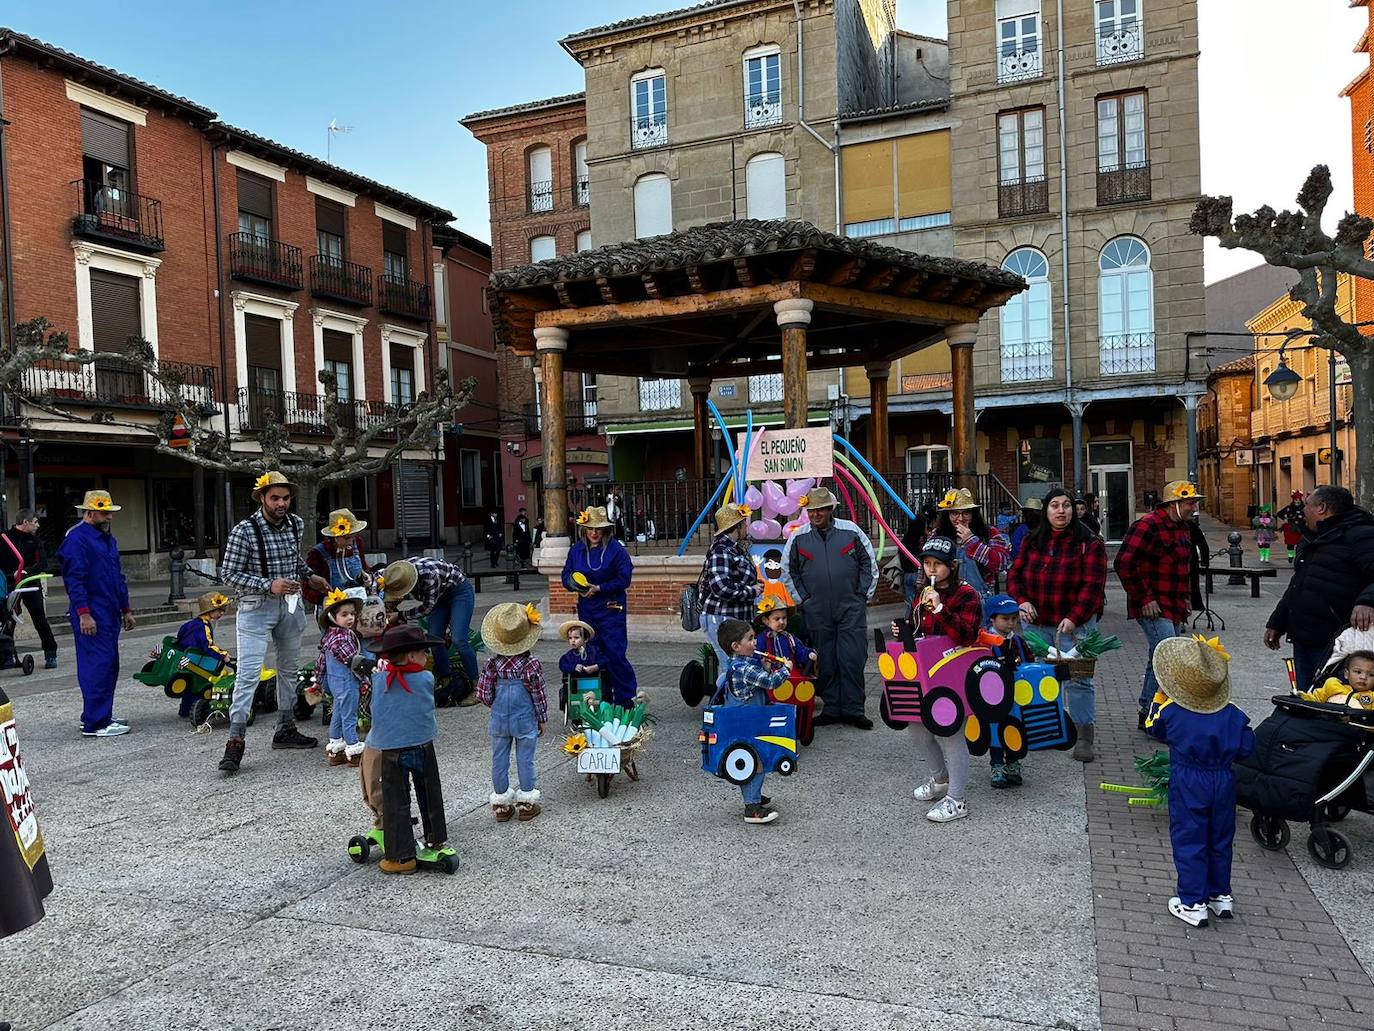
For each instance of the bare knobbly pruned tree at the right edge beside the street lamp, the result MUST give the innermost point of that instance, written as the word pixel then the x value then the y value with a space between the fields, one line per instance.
pixel 1296 240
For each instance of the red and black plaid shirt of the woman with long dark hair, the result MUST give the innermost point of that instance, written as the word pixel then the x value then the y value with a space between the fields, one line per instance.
pixel 1066 579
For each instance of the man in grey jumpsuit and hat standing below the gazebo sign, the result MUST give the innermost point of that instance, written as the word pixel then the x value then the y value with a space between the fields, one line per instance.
pixel 832 573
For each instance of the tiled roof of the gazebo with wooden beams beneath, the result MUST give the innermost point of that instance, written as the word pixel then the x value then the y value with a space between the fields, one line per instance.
pixel 699 302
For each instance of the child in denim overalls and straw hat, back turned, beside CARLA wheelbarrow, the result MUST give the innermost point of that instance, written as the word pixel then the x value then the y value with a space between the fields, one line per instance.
pixel 513 687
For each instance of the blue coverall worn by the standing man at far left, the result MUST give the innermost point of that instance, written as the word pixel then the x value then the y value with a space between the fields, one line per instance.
pixel 95 585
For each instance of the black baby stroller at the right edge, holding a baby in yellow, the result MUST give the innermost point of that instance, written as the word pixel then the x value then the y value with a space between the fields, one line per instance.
pixel 1311 764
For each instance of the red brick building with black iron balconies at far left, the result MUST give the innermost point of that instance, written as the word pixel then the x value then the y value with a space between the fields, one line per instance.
pixel 248 266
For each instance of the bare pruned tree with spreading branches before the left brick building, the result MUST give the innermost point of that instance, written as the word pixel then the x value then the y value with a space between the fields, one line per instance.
pixel 310 467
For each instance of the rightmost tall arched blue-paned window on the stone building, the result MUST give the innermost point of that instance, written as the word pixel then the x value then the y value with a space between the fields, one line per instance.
pixel 1126 307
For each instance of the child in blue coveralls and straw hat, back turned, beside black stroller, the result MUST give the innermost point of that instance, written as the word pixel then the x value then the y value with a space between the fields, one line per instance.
pixel 1193 716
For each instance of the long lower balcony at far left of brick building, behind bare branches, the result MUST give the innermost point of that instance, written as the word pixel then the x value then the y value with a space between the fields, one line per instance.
pixel 111 383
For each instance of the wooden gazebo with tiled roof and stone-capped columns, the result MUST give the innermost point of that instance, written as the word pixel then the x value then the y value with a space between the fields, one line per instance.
pixel 743 299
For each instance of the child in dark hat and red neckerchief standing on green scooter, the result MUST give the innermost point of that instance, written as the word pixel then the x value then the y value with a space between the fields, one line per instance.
pixel 403 732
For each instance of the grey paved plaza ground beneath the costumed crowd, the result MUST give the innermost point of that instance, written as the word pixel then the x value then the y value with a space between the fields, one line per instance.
pixel 190 901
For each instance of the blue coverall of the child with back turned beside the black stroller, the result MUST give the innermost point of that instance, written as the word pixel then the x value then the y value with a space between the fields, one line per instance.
pixel 1202 792
